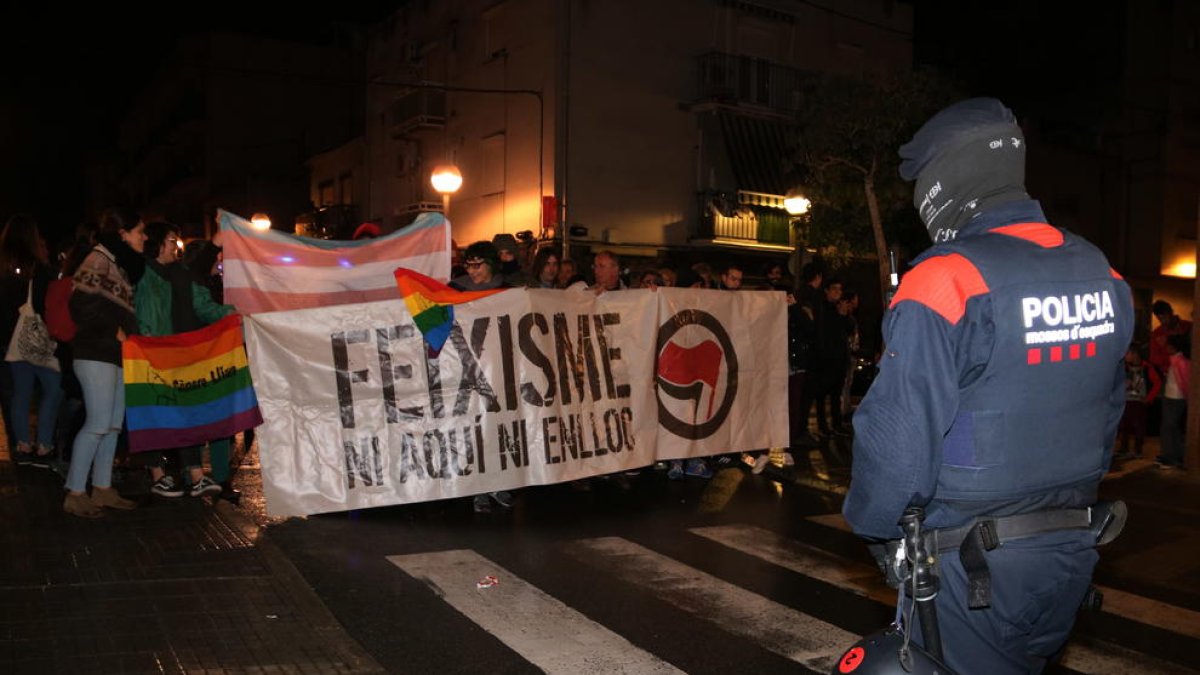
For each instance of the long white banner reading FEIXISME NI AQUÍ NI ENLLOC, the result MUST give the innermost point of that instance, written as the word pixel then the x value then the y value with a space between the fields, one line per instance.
pixel 533 387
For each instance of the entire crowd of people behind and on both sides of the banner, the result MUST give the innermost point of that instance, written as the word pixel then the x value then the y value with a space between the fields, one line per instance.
pixel 63 320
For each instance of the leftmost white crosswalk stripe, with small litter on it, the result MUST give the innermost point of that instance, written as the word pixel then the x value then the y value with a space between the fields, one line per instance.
pixel 543 630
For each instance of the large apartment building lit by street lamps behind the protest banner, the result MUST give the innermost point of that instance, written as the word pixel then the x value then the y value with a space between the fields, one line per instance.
pixel 639 127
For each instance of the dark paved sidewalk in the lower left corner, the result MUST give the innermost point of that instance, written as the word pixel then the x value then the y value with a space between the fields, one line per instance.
pixel 175 587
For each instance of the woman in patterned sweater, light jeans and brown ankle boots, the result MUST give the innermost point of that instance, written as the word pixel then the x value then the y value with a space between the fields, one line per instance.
pixel 103 308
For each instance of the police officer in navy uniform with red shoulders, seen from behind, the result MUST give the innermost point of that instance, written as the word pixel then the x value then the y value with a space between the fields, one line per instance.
pixel 998 398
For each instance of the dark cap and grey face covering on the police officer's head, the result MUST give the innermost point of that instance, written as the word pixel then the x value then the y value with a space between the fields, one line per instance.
pixel 965 159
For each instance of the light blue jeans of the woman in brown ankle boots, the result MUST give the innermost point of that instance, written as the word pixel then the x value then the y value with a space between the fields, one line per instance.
pixel 104 396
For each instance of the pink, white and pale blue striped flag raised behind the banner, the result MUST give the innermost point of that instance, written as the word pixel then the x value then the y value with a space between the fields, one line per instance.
pixel 273 271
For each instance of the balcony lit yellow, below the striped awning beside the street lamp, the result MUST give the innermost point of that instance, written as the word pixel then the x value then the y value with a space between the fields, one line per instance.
pixel 746 219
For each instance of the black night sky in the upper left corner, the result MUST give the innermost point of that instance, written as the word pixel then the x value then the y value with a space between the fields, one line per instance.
pixel 69 77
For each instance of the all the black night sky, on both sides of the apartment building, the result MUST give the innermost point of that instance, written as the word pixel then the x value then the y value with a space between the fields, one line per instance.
pixel 69 76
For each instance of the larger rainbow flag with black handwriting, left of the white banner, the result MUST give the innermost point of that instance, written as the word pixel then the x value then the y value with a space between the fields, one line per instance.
pixel 189 389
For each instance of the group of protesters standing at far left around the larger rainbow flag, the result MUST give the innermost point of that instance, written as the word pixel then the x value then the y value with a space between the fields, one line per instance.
pixel 63 321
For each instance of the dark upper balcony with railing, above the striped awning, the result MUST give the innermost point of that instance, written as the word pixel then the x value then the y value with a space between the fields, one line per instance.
pixel 747 81
